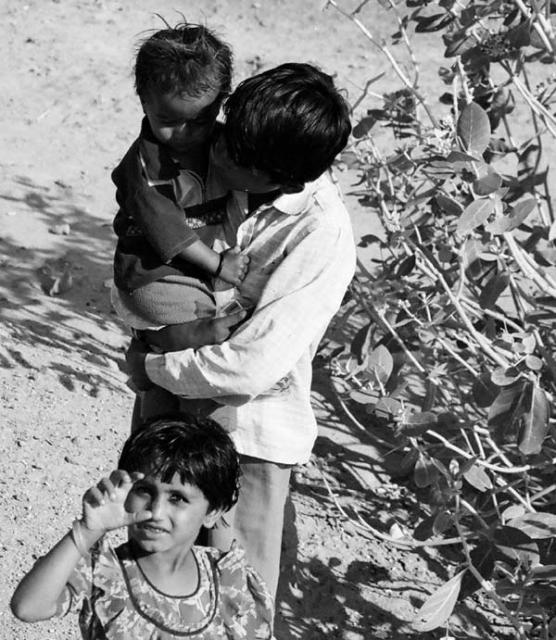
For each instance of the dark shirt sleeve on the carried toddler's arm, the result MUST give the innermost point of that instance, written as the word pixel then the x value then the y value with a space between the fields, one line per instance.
pixel 158 216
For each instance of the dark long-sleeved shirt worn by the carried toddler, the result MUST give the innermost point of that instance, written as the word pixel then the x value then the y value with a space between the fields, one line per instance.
pixel 162 210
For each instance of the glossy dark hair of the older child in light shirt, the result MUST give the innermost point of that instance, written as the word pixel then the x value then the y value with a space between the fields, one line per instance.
pixel 290 122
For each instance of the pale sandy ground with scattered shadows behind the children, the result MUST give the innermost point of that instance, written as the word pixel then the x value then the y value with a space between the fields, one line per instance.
pixel 69 113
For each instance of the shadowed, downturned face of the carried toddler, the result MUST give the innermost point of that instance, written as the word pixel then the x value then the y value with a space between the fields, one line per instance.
pixel 182 122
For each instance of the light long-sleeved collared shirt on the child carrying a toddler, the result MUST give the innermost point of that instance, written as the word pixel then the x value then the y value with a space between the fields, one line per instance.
pixel 302 258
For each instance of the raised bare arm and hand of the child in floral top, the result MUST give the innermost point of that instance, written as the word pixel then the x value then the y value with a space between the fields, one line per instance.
pixel 37 595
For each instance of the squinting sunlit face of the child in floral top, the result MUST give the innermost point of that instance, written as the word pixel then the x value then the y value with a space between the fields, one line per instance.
pixel 178 512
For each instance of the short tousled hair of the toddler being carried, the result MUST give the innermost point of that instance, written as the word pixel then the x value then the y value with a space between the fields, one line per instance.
pixel 188 58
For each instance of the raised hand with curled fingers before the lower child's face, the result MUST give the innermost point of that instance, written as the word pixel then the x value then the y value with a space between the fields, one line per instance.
pixel 103 504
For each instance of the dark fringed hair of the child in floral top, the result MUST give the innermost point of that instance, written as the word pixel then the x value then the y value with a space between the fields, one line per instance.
pixel 197 449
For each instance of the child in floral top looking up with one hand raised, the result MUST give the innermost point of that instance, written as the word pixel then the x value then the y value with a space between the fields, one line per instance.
pixel 175 475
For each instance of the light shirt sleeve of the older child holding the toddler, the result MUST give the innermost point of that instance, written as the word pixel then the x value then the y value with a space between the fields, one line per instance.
pixel 296 305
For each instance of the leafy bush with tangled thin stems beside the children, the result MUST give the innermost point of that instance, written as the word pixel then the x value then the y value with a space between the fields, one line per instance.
pixel 455 345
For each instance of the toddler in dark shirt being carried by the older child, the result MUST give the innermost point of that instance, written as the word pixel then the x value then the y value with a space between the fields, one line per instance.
pixel 171 204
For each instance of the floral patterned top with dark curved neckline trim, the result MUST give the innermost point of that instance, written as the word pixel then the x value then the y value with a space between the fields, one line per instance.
pixel 115 601
